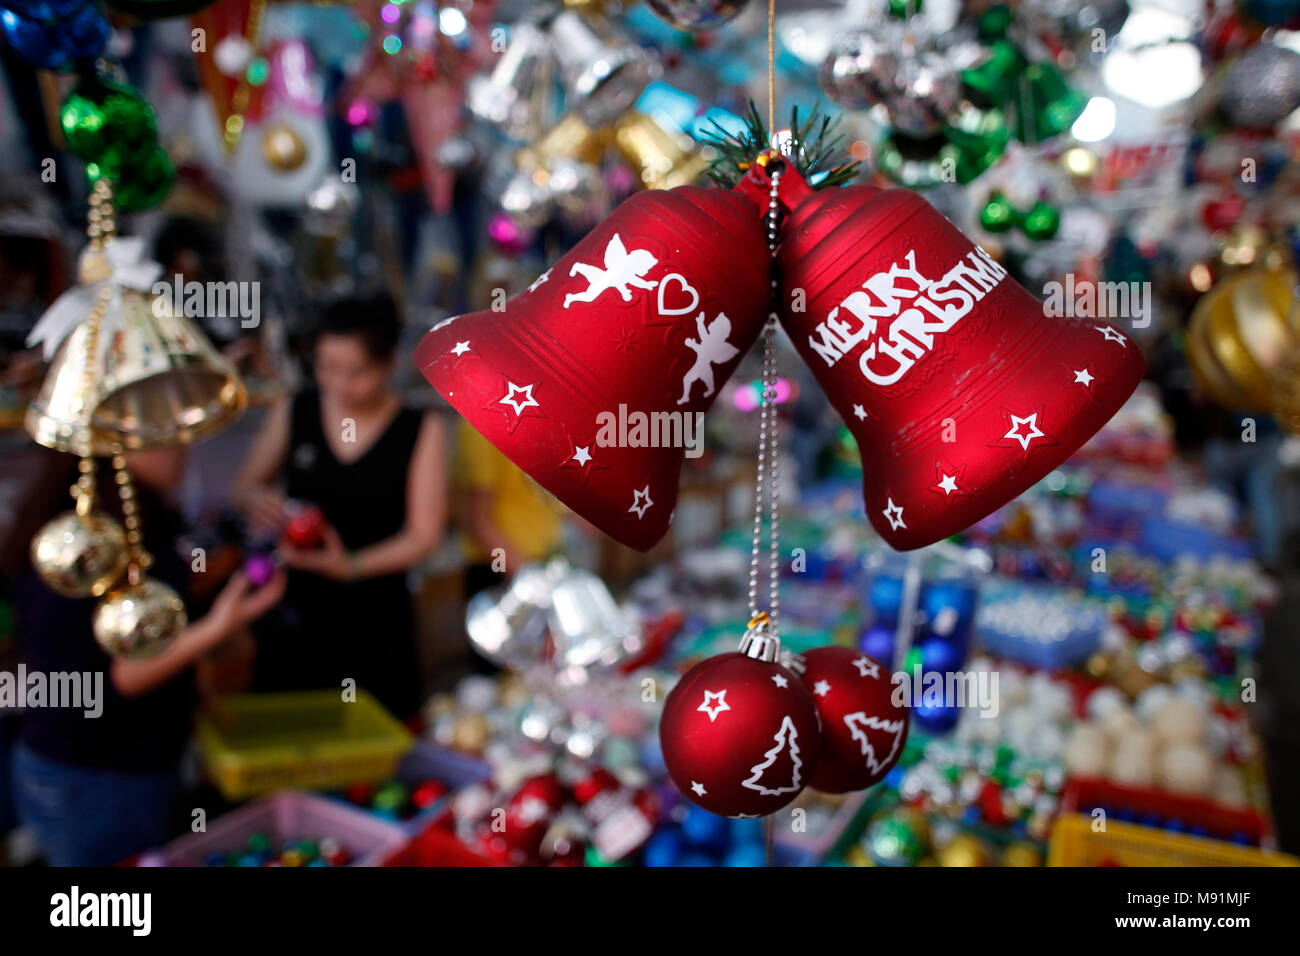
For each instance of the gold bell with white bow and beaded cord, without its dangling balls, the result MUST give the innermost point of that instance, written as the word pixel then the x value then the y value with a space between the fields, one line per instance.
pixel 125 365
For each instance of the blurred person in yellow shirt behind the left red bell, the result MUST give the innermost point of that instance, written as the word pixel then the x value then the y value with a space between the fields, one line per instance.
pixel 509 520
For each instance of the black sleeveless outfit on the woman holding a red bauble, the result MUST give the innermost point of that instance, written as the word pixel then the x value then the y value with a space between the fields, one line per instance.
pixel 328 631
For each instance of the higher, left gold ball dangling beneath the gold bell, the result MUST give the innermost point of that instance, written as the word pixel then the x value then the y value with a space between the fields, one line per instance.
pixel 80 557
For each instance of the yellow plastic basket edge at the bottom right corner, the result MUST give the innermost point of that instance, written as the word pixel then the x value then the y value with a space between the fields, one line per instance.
pixel 1074 843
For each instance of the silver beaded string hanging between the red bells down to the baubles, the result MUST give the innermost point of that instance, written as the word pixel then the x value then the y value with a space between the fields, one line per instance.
pixel 769 449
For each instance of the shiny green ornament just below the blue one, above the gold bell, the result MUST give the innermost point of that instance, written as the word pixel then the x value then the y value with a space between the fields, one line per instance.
pixel 109 124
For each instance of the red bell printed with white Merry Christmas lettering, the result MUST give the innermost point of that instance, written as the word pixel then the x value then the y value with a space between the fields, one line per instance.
pixel 960 387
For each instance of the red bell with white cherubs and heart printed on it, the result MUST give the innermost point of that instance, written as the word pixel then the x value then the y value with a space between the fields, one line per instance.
pixel 597 377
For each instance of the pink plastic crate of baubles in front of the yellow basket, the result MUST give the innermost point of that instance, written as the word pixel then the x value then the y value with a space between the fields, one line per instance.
pixel 287 816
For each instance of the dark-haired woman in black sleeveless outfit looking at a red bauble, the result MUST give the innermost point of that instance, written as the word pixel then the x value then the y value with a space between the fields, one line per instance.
pixel 376 470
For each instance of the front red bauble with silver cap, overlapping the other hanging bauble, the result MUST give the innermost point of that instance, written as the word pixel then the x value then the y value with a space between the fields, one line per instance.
pixel 739 732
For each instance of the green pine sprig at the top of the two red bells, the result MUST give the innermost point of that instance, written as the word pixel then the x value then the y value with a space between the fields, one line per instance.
pixel 816 149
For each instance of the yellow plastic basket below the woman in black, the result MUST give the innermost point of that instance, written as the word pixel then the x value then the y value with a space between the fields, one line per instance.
pixel 309 741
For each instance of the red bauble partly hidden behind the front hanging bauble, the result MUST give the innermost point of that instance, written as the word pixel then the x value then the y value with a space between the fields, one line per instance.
pixel 863 732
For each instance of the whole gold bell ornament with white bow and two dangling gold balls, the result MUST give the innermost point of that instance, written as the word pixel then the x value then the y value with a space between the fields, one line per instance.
pixel 84 553
